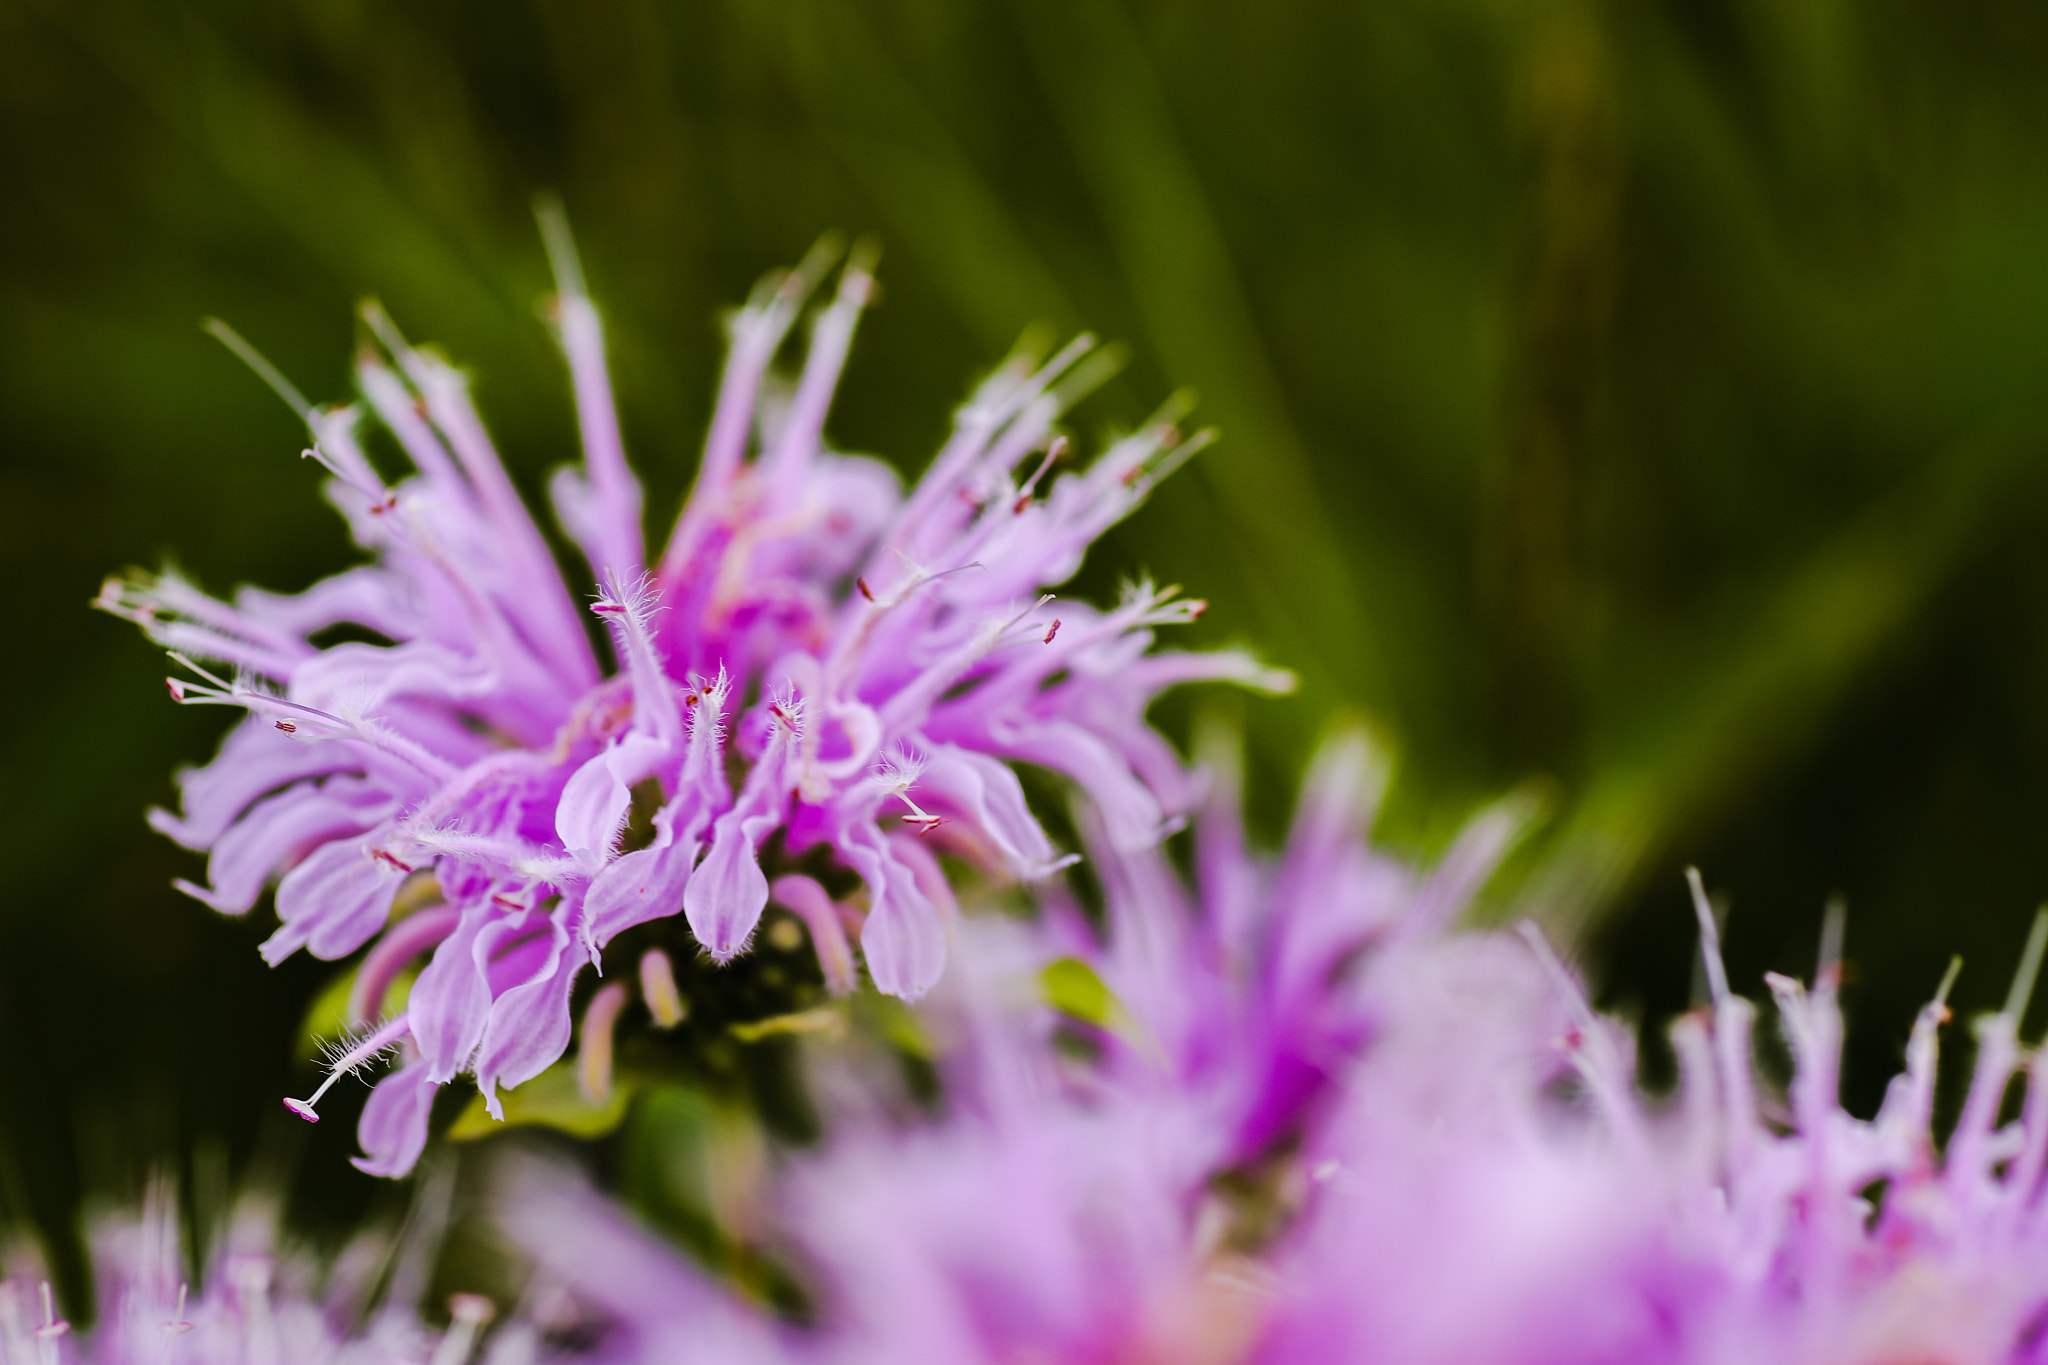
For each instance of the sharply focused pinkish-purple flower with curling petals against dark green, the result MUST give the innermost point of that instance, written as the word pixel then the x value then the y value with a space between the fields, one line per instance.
pixel 814 654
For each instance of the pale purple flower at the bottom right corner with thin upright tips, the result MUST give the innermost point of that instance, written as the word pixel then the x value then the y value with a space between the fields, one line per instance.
pixel 1476 1215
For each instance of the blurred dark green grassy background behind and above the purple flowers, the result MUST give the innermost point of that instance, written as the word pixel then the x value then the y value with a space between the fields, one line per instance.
pixel 1637 402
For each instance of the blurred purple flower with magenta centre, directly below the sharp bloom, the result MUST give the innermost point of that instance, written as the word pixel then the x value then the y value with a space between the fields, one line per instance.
pixel 1109 1170
